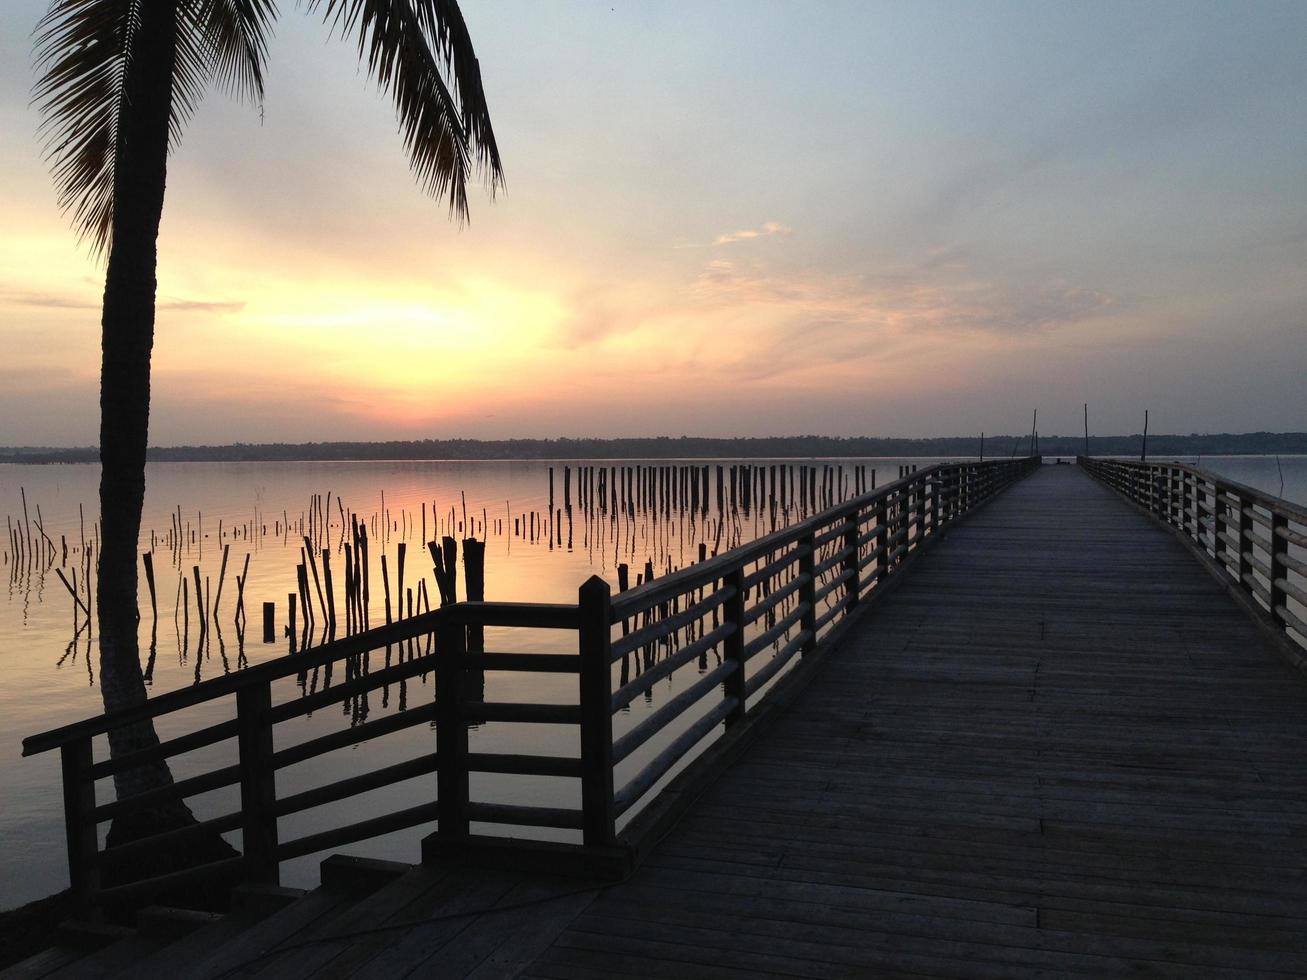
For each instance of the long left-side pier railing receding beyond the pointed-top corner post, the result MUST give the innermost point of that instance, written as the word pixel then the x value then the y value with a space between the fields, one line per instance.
pixel 818 582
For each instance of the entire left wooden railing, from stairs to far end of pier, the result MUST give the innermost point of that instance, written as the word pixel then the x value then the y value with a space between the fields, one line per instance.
pixel 750 611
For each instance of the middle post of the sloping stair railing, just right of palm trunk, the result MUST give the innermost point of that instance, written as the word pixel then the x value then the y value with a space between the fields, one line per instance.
pixel 258 783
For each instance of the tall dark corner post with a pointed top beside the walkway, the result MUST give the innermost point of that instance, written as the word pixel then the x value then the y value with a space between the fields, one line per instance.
pixel 599 819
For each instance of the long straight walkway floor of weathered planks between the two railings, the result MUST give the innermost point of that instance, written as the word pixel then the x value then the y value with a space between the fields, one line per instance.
pixel 1058 751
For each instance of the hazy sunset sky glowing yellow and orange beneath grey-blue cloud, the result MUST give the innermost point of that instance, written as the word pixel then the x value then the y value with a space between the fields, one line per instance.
pixel 725 219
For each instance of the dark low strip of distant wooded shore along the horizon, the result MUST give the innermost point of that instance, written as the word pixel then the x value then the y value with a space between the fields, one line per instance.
pixel 691 448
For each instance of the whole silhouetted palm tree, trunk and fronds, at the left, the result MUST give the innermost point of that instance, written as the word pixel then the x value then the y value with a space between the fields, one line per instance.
pixel 118 82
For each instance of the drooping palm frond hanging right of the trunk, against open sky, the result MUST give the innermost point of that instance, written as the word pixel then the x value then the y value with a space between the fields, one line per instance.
pixel 410 46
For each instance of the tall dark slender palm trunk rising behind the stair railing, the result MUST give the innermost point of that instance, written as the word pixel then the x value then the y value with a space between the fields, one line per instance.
pixel 141 171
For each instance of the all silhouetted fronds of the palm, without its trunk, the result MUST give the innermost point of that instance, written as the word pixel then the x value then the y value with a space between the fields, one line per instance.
pixel 418 50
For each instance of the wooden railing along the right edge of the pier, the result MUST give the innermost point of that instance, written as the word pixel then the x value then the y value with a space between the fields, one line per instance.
pixel 1257 540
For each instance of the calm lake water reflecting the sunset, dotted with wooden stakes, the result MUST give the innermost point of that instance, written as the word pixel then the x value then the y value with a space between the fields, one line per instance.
pixel 197 512
